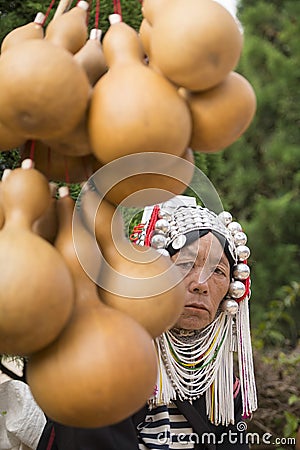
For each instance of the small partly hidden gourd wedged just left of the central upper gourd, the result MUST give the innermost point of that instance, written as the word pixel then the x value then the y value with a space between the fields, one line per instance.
pixel 91 57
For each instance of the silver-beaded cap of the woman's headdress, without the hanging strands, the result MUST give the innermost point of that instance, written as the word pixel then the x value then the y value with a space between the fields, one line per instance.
pixel 166 227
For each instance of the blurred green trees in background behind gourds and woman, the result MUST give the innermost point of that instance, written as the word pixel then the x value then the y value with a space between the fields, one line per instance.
pixel 258 177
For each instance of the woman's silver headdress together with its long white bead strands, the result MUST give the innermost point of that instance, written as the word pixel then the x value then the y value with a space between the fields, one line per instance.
pixel 166 228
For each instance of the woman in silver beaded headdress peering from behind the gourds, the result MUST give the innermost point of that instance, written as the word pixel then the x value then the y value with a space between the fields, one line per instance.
pixel 198 401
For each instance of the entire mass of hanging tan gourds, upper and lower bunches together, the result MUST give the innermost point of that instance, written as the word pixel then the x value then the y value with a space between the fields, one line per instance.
pixel 165 90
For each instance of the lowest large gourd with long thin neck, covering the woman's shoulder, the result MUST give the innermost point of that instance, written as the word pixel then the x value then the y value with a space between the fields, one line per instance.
pixel 102 368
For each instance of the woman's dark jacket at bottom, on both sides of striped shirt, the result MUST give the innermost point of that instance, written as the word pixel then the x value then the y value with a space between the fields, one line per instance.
pixel 123 436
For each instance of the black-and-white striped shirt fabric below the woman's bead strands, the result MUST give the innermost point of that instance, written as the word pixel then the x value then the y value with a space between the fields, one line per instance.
pixel 165 428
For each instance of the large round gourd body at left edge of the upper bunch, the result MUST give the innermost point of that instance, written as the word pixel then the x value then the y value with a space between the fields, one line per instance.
pixel 44 92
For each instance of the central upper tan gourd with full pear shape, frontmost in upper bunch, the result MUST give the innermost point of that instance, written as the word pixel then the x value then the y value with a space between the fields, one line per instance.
pixel 133 109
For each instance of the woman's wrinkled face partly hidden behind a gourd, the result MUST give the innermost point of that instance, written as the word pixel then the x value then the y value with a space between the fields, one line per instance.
pixel 207 277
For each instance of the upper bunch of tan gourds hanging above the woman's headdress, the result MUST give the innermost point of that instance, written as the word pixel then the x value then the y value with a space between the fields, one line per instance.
pixel 168 88
